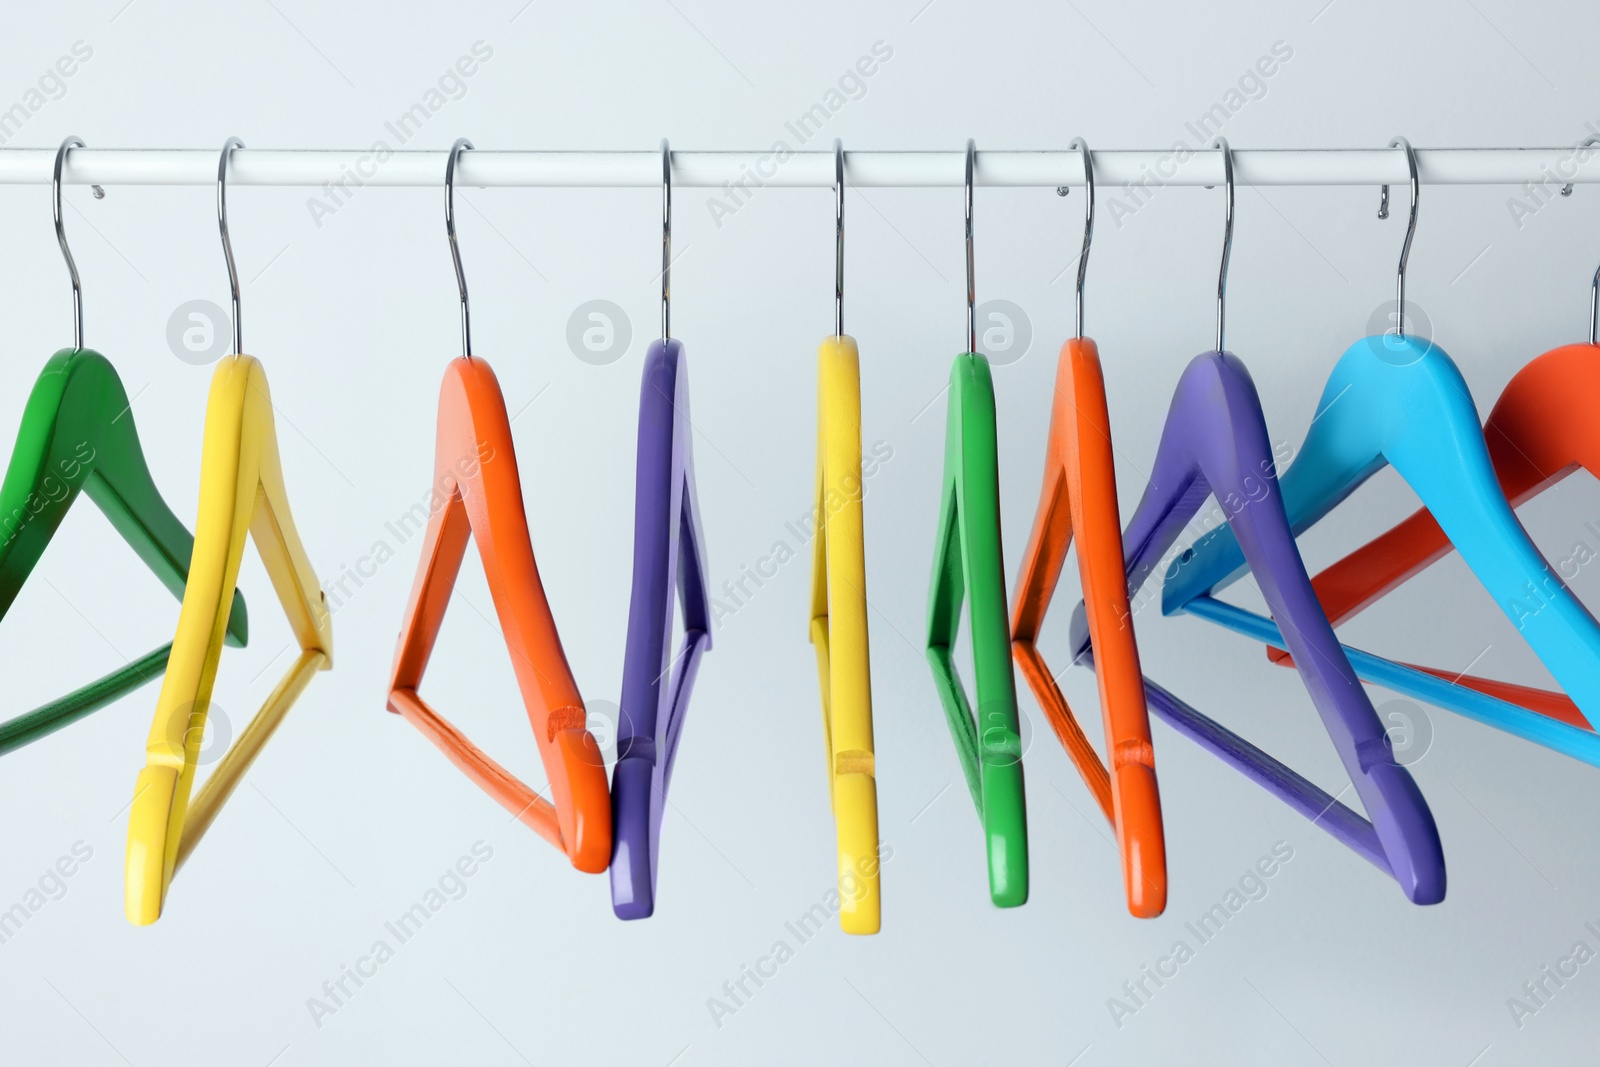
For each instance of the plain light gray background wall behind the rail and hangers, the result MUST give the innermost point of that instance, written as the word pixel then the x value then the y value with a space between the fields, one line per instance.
pixel 351 817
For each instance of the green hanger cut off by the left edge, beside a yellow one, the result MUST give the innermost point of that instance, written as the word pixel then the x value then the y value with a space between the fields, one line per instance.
pixel 79 436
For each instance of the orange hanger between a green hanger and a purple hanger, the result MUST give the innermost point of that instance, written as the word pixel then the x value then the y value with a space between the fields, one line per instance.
pixel 1081 497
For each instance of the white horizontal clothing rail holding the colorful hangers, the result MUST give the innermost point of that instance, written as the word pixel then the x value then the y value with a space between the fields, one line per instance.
pixel 714 170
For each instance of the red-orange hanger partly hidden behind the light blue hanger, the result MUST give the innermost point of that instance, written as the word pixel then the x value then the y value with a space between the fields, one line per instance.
pixel 1538 434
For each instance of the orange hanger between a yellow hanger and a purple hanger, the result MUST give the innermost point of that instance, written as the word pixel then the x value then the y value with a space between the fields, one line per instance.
pixel 476 468
